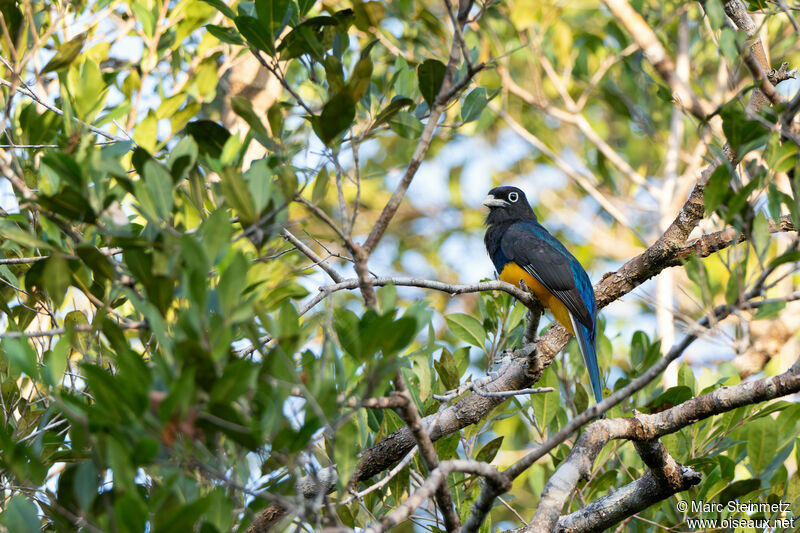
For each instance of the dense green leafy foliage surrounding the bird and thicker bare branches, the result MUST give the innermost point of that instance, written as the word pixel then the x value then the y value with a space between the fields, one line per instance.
pixel 162 366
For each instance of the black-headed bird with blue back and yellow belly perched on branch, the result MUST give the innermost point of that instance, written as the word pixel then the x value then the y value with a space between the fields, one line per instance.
pixel 522 250
